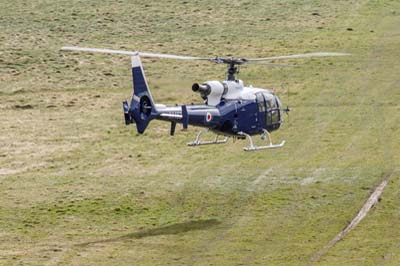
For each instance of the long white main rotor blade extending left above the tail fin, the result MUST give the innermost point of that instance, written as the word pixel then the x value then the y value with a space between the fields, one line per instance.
pixel 143 54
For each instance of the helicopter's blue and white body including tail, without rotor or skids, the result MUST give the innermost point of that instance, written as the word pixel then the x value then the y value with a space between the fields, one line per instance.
pixel 230 108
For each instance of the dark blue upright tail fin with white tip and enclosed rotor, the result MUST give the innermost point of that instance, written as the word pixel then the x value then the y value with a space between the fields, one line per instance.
pixel 142 109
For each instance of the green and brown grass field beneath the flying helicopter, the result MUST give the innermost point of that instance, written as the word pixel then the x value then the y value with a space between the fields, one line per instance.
pixel 79 188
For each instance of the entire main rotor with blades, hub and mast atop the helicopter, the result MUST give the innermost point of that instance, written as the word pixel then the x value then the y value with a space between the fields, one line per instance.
pixel 231 62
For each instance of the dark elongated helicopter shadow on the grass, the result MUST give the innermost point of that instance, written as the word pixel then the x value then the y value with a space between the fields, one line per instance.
pixel 172 229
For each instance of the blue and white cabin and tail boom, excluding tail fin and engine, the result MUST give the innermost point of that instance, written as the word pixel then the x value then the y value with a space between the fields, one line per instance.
pixel 251 111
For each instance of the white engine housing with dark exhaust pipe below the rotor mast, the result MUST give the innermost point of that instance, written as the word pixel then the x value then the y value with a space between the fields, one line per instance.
pixel 211 90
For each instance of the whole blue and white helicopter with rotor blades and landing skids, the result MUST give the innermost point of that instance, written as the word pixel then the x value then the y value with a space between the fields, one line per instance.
pixel 230 108
